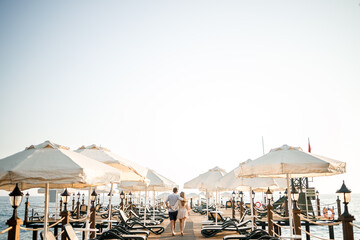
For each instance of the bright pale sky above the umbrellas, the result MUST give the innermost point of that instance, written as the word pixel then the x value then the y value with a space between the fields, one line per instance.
pixel 183 86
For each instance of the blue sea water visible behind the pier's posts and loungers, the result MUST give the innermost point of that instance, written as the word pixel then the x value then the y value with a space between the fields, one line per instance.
pixel 322 231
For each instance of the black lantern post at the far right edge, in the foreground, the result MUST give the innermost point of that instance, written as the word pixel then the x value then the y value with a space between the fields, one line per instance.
pixel 345 196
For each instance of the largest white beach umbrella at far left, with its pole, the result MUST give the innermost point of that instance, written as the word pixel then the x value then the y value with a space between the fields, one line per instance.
pixel 53 166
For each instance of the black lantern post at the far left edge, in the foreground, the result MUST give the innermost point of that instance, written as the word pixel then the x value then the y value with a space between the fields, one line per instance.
pixel 14 221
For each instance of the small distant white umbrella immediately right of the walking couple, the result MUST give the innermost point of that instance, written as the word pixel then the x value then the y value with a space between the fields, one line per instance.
pixel 207 182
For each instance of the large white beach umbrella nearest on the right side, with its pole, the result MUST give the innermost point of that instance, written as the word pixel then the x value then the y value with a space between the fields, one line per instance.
pixel 290 162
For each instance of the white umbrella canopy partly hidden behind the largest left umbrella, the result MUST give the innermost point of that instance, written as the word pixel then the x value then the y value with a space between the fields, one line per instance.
pixel 131 170
